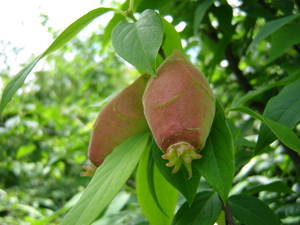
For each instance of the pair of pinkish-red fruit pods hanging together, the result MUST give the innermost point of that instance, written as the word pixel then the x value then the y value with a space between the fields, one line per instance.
pixel 178 106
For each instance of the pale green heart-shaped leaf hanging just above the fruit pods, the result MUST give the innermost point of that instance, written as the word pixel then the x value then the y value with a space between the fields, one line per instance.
pixel 138 43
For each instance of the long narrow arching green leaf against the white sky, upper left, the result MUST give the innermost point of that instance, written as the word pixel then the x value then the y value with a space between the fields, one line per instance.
pixel 62 39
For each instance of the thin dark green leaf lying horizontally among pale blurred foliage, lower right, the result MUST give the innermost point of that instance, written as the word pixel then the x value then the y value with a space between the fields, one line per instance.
pixel 274 186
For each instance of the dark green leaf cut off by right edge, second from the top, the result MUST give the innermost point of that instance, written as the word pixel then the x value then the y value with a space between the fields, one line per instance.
pixel 284 39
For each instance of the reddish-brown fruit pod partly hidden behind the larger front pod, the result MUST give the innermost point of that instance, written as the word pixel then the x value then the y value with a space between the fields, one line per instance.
pixel 120 119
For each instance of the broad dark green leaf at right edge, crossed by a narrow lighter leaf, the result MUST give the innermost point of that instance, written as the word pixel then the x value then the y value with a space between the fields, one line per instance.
pixel 283 108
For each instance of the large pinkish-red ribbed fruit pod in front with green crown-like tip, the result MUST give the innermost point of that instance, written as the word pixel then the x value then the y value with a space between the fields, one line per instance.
pixel 179 107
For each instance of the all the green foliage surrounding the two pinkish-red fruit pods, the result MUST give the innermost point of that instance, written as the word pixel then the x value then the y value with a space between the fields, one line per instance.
pixel 250 52
